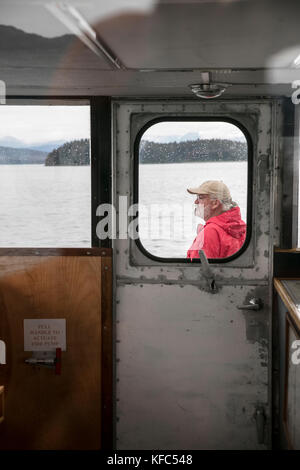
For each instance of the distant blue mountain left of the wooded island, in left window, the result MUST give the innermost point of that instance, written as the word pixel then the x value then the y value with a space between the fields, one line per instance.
pixel 19 156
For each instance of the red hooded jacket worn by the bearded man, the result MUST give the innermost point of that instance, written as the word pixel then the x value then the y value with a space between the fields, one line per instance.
pixel 221 236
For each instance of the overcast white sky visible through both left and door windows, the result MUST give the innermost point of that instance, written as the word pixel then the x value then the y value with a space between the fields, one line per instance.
pixel 38 124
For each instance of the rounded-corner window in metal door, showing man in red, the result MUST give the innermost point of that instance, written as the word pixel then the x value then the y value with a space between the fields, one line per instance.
pixel 193 188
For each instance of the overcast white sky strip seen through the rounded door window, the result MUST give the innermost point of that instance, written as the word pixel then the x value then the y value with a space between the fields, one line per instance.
pixel 206 130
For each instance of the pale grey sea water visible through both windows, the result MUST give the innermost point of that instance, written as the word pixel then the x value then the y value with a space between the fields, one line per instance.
pixel 51 206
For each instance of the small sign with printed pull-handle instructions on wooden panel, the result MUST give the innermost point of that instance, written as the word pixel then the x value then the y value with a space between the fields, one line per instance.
pixel 45 335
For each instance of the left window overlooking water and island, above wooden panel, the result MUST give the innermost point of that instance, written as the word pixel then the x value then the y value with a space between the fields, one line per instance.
pixel 45 176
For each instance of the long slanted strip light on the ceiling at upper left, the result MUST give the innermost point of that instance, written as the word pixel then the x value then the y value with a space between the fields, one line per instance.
pixel 75 22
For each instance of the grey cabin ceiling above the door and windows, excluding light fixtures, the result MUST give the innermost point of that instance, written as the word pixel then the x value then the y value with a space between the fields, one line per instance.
pixel 163 46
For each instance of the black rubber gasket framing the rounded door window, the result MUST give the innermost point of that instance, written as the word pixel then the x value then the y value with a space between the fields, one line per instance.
pixel 249 182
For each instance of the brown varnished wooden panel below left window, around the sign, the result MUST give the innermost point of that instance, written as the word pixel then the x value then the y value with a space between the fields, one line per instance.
pixel 44 410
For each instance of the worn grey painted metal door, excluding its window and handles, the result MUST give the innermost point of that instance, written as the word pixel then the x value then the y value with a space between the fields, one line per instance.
pixel 192 369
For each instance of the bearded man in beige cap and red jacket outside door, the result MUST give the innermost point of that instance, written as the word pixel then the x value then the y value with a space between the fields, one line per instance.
pixel 224 231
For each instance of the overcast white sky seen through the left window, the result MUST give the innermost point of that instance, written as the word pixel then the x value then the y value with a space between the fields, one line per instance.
pixel 37 124
